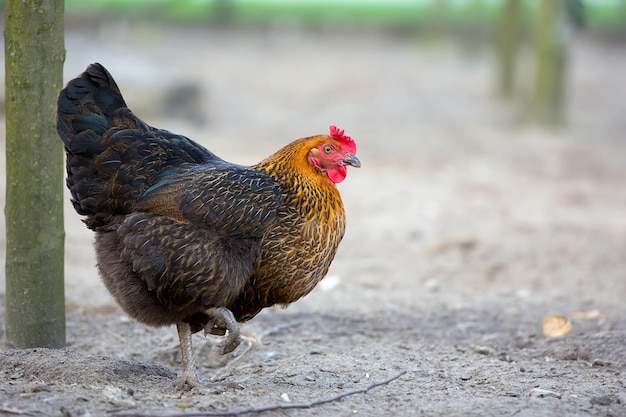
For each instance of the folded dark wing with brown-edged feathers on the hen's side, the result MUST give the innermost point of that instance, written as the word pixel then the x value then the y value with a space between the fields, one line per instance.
pixel 233 200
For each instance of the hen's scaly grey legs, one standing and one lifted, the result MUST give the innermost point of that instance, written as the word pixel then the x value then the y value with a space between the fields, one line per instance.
pixel 220 320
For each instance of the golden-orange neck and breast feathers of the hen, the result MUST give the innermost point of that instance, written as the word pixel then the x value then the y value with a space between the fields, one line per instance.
pixel 296 252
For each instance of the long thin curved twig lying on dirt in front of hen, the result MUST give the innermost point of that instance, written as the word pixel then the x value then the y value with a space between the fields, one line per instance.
pixel 273 407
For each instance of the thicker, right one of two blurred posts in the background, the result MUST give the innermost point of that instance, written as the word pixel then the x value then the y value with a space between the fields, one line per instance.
pixel 552 35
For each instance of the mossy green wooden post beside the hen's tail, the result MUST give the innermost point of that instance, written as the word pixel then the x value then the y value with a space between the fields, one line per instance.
pixel 34 56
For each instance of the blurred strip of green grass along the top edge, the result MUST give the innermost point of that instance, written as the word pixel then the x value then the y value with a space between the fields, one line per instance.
pixel 610 15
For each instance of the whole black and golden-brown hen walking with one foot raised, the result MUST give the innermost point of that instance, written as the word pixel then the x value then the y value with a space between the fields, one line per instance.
pixel 186 238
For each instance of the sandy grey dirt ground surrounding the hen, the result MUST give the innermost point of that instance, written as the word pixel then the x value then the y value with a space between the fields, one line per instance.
pixel 466 229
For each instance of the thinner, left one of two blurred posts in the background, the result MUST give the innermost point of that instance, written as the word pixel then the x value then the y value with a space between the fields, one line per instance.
pixel 507 45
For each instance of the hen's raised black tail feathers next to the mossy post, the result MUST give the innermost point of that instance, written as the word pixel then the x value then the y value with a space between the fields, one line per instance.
pixel 113 156
